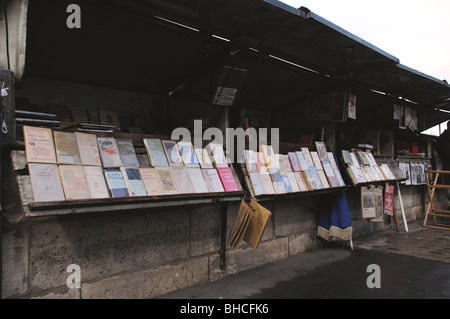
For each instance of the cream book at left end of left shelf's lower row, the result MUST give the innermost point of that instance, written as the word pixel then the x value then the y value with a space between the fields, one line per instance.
pixel 45 182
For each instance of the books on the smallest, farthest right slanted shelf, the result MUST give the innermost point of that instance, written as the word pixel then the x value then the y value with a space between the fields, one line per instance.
pixel 363 167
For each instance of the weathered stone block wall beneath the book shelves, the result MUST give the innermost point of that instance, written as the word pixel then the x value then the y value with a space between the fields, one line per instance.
pixel 146 253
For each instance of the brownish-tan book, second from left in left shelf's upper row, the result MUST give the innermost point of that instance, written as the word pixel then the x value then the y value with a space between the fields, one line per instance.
pixel 66 148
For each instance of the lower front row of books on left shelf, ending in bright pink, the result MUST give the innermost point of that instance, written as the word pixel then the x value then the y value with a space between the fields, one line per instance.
pixel 52 182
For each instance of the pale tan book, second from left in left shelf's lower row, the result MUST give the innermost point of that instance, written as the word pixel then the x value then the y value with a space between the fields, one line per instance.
pixel 74 182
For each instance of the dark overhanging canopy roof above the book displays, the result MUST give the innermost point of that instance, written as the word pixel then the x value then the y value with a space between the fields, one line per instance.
pixel 179 47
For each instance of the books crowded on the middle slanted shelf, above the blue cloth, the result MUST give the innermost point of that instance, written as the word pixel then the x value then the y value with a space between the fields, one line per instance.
pixel 300 171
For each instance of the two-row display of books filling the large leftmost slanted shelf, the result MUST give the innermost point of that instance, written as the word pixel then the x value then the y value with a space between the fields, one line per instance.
pixel 69 166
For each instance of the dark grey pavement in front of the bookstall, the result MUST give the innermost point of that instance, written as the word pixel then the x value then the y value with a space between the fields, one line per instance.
pixel 387 264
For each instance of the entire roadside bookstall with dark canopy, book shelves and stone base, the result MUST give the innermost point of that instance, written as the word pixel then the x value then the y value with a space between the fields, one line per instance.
pixel 94 175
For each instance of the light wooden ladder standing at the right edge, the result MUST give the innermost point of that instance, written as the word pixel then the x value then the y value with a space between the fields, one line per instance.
pixel 431 210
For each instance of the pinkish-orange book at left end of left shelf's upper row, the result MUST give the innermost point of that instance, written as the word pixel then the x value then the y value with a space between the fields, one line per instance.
pixel 39 146
